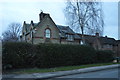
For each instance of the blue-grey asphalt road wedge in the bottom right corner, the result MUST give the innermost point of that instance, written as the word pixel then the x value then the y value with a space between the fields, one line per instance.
pixel 107 73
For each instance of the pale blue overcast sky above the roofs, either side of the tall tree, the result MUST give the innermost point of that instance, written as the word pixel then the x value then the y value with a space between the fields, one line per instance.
pixel 27 10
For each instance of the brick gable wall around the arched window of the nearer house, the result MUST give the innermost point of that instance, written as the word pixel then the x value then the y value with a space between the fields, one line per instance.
pixel 39 36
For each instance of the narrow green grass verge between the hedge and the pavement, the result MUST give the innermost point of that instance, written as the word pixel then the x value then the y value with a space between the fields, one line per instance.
pixel 65 68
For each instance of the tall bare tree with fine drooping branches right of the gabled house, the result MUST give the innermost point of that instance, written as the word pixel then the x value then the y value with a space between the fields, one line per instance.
pixel 85 17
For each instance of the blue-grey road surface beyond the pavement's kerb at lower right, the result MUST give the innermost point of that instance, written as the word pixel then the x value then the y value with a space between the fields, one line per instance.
pixel 111 73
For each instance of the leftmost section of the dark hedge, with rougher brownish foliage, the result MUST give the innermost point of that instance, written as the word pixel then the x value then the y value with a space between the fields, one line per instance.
pixel 17 55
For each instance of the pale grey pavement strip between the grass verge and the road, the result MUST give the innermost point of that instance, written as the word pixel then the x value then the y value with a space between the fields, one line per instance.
pixel 60 73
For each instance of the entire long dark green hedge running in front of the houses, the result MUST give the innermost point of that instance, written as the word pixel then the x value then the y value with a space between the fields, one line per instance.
pixel 24 55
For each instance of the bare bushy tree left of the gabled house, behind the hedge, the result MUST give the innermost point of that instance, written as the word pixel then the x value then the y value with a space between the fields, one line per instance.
pixel 12 33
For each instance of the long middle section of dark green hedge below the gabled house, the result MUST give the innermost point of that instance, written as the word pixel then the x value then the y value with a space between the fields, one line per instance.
pixel 52 55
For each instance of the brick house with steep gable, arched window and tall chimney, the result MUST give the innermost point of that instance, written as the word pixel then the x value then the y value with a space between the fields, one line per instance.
pixel 46 31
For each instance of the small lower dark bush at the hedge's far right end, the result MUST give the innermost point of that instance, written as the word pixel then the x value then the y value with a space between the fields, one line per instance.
pixel 104 56
